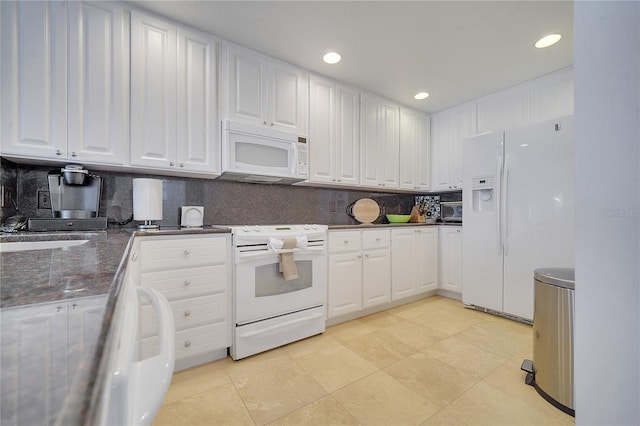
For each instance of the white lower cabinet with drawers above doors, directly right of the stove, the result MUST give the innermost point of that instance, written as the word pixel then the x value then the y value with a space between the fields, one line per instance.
pixel 359 270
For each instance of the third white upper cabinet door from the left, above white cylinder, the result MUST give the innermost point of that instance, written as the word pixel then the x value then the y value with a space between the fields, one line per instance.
pixel 153 92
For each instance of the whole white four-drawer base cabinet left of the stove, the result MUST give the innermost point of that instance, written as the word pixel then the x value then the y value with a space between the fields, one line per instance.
pixel 193 272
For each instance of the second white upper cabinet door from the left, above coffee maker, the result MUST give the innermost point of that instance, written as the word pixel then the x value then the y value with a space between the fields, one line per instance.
pixel 98 83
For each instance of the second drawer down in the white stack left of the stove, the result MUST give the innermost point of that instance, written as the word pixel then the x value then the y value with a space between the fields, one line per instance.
pixel 184 283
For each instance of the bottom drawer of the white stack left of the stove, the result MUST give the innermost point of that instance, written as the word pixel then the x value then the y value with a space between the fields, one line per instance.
pixel 192 341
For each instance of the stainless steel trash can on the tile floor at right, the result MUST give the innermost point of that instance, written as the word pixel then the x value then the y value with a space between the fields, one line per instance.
pixel 553 316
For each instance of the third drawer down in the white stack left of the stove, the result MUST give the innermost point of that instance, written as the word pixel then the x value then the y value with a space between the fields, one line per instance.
pixel 187 313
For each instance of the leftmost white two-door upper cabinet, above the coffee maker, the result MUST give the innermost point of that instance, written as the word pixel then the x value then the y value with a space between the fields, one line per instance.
pixel 65 81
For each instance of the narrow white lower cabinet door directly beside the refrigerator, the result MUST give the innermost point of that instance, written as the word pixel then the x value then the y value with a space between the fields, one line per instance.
pixel 451 258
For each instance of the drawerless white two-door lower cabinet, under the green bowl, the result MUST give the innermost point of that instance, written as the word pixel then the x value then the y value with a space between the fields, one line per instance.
pixel 414 261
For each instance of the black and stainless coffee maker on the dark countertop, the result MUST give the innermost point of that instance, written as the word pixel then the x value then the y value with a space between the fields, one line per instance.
pixel 75 201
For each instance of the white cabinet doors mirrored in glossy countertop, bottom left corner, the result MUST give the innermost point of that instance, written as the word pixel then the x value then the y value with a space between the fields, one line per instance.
pixel 63 333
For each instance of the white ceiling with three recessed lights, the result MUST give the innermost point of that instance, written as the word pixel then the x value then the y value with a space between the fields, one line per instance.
pixel 455 50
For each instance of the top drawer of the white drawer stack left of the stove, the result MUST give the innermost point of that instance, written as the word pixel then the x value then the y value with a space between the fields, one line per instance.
pixel 159 254
